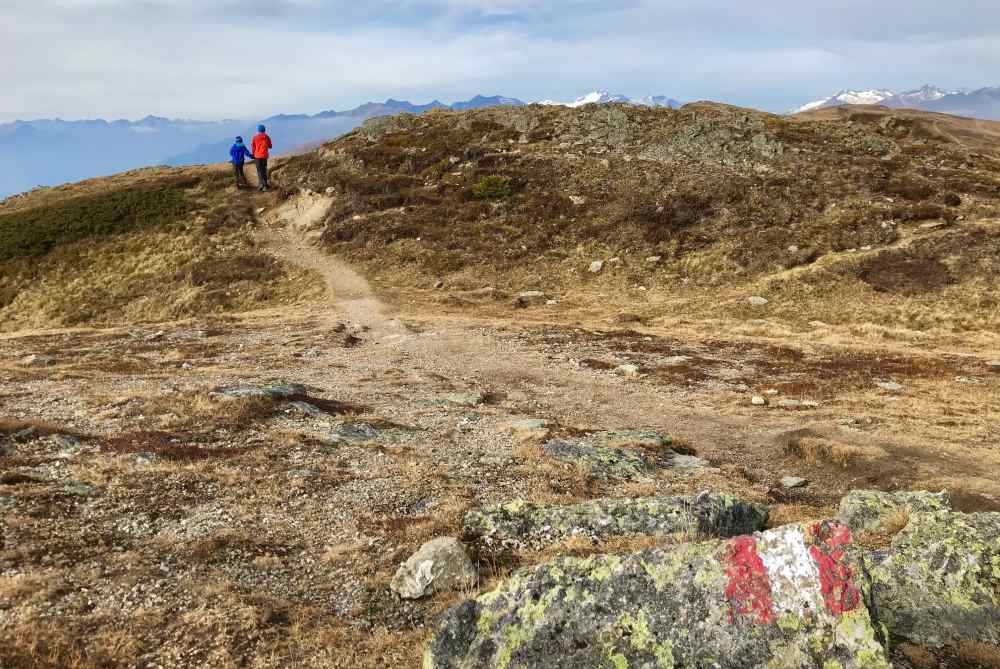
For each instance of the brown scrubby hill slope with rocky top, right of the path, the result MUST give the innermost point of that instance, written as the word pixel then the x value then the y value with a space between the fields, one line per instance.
pixel 824 215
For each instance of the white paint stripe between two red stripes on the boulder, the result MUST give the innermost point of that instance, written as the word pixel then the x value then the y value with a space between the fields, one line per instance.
pixel 792 572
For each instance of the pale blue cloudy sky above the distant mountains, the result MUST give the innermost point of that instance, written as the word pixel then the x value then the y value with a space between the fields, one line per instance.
pixel 214 59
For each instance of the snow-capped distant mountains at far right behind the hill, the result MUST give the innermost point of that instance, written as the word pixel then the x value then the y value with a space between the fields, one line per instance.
pixel 982 103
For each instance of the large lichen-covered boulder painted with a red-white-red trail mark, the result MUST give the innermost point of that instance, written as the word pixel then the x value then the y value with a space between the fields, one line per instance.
pixel 791 597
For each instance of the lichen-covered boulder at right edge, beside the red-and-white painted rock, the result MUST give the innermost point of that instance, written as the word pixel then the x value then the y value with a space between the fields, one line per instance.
pixel 939 582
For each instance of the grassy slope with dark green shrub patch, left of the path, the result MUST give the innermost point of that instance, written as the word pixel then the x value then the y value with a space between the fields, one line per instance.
pixel 154 245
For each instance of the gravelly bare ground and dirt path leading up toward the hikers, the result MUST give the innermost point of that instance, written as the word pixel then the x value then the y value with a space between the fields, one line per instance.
pixel 239 491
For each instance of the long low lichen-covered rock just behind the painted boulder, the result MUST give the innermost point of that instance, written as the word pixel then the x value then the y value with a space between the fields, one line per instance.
pixel 521 524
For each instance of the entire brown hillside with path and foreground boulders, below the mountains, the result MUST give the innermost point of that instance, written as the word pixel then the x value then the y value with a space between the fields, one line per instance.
pixel 529 387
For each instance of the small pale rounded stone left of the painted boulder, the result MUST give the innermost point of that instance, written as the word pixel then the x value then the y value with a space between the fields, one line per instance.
pixel 440 565
